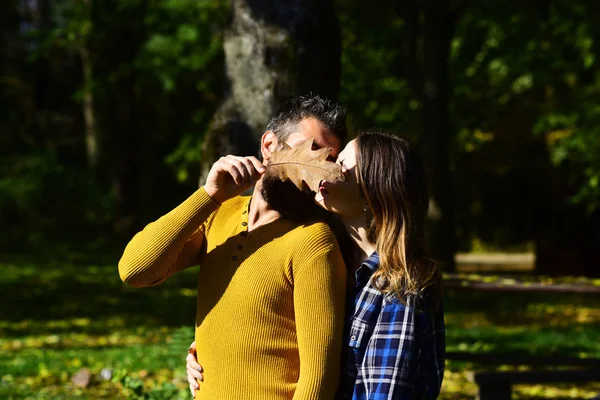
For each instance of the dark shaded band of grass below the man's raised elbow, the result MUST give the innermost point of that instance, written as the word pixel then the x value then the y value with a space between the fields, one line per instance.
pixel 45 293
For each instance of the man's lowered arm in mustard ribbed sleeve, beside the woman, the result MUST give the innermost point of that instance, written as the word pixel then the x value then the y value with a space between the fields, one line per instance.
pixel 319 300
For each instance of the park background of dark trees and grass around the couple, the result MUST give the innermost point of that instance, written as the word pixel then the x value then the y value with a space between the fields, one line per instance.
pixel 111 111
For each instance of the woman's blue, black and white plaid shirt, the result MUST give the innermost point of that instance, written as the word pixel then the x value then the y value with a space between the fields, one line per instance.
pixel 394 351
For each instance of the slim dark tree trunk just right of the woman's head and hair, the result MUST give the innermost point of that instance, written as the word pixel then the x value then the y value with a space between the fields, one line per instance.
pixel 426 70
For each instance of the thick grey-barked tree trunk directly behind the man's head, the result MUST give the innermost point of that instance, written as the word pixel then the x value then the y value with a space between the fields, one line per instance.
pixel 272 51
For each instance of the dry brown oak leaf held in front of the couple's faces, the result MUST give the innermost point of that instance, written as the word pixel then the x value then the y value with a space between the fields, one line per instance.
pixel 301 163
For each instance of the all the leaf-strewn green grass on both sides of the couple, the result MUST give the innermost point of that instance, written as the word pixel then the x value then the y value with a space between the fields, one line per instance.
pixel 59 317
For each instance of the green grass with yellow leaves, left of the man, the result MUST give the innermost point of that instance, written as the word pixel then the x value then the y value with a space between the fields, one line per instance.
pixel 60 317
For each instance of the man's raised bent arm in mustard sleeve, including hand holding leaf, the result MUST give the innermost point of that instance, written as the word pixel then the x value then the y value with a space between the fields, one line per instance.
pixel 173 242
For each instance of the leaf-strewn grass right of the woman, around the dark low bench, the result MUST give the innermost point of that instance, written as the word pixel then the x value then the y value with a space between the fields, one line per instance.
pixel 521 324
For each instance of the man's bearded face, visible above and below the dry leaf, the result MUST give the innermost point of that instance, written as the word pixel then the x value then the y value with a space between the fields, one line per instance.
pixel 284 196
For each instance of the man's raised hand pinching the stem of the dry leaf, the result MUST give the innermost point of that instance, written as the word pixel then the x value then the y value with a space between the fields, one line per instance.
pixel 231 175
